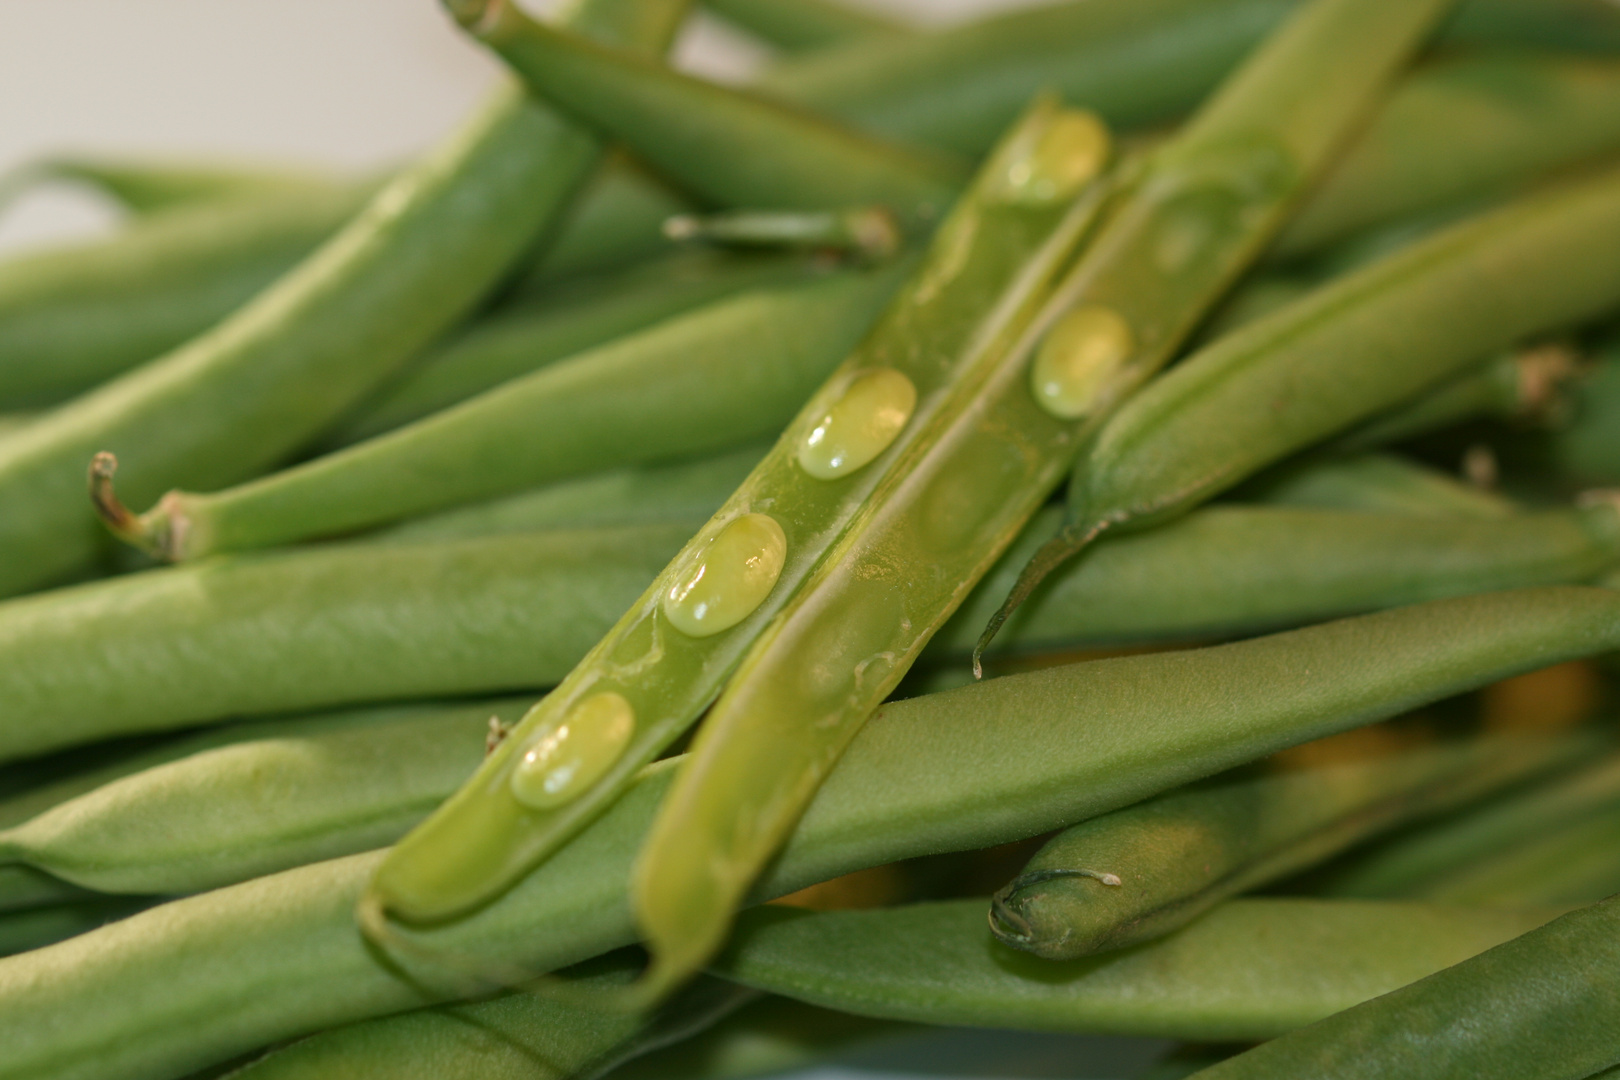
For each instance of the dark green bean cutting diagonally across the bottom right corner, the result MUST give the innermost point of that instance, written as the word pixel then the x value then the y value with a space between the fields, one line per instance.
pixel 1538 1008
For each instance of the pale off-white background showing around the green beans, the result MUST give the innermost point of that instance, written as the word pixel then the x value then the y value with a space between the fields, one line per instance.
pixel 352 85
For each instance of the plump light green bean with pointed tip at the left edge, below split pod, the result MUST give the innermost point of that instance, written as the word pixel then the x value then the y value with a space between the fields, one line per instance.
pixel 260 807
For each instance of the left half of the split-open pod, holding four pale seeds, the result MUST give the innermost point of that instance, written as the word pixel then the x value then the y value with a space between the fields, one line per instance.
pixel 991 261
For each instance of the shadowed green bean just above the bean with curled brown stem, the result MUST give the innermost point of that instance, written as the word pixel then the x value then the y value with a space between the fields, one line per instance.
pixel 518 342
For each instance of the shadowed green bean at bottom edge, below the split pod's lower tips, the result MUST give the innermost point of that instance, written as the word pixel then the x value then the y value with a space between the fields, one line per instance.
pixel 516 1037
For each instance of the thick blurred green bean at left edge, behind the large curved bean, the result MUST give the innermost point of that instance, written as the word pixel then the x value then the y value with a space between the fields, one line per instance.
pixel 75 317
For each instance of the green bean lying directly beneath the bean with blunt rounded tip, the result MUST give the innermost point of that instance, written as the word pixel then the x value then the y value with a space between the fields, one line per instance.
pixel 1248 971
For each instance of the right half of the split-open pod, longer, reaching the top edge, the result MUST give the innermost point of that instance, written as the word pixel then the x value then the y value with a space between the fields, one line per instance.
pixel 1185 224
